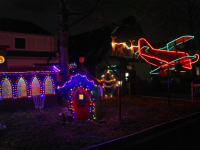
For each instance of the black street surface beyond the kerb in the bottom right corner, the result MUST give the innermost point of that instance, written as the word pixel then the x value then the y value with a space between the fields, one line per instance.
pixel 186 138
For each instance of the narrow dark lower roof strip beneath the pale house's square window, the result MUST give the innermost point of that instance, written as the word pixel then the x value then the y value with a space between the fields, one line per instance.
pixel 18 53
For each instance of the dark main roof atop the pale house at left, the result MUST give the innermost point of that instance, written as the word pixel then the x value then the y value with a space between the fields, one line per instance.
pixel 21 26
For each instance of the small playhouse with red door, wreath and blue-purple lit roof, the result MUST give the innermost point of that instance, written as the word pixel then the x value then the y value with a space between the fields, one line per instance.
pixel 82 95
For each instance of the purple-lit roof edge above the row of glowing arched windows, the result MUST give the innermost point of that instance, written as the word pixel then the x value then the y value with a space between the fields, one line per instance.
pixel 29 70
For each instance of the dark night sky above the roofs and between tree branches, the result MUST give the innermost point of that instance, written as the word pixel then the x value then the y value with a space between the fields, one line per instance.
pixel 44 14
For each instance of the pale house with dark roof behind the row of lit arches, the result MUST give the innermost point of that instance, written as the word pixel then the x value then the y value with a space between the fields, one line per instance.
pixel 27 43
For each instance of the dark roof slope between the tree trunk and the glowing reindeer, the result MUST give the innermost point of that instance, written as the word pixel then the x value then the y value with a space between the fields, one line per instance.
pixel 92 45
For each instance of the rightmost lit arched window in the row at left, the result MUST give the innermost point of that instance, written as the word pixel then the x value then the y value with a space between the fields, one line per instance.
pixel 49 86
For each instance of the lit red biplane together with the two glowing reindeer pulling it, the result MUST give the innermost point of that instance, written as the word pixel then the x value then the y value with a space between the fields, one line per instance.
pixel 163 58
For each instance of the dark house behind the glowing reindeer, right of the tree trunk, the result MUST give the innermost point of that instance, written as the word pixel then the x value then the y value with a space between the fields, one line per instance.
pixel 96 47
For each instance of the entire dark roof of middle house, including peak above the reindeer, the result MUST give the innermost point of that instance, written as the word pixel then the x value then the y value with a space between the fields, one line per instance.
pixel 96 44
